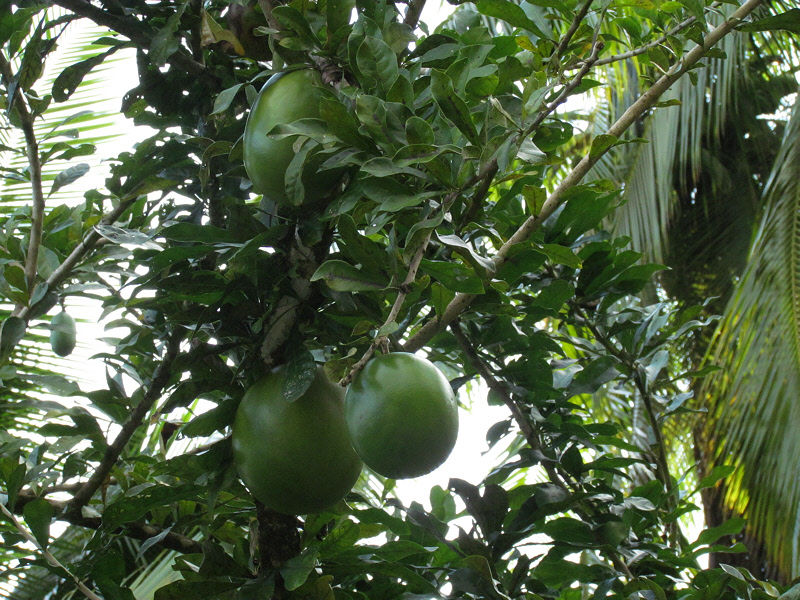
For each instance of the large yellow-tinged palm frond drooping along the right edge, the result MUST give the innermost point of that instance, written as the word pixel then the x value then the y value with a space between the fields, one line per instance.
pixel 754 414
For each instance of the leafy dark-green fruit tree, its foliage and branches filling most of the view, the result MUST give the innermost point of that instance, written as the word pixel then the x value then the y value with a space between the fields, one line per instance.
pixel 460 218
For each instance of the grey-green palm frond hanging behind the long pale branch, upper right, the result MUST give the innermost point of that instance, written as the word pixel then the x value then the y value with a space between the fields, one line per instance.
pixel 675 134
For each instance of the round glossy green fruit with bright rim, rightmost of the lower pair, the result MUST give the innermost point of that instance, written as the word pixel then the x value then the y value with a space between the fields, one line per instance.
pixel 402 415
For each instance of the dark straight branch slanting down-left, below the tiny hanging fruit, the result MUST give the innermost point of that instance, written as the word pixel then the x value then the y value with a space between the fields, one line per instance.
pixel 114 450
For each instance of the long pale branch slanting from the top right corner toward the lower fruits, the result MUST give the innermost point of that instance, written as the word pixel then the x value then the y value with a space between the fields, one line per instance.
pixel 646 101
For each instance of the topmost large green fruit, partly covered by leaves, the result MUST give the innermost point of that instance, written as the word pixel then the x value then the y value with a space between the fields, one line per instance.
pixel 291 96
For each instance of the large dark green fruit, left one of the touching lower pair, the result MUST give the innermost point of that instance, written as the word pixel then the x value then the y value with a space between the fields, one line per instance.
pixel 295 457
